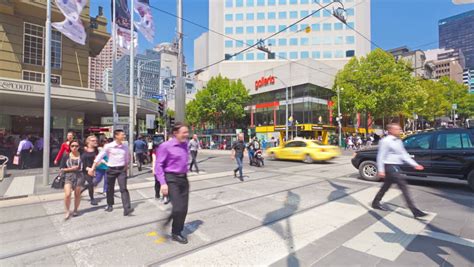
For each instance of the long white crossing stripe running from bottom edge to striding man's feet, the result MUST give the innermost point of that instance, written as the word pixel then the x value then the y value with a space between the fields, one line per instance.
pixel 269 244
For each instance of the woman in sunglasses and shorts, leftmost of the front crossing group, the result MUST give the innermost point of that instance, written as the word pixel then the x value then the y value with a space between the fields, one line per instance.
pixel 71 167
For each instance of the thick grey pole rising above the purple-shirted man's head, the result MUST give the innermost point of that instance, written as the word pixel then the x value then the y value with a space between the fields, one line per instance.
pixel 180 95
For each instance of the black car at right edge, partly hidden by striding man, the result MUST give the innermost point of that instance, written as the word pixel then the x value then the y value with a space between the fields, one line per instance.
pixel 447 153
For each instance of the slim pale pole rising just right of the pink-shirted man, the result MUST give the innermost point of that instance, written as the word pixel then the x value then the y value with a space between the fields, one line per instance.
pixel 131 93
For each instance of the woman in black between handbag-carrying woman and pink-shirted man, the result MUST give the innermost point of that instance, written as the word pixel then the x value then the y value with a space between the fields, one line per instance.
pixel 88 157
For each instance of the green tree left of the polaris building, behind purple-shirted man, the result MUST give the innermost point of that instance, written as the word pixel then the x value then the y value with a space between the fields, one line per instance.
pixel 221 103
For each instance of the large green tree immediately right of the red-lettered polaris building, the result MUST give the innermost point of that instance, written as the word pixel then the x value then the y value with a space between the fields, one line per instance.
pixel 375 84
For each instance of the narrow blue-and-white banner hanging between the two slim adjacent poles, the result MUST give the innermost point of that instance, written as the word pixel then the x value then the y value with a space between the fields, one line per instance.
pixel 123 22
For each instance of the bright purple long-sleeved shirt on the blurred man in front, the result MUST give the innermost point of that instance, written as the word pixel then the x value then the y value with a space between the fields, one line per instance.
pixel 171 157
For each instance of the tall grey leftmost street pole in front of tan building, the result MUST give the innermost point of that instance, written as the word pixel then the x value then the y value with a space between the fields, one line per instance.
pixel 47 96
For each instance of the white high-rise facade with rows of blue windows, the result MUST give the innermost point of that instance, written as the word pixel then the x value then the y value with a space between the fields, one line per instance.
pixel 245 22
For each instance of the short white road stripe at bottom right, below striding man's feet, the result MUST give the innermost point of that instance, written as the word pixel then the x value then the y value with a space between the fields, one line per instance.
pixel 388 237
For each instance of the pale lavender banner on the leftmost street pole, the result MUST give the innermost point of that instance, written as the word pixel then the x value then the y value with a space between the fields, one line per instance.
pixel 72 26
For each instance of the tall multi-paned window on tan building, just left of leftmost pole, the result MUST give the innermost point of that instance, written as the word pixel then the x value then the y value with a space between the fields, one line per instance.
pixel 33 44
